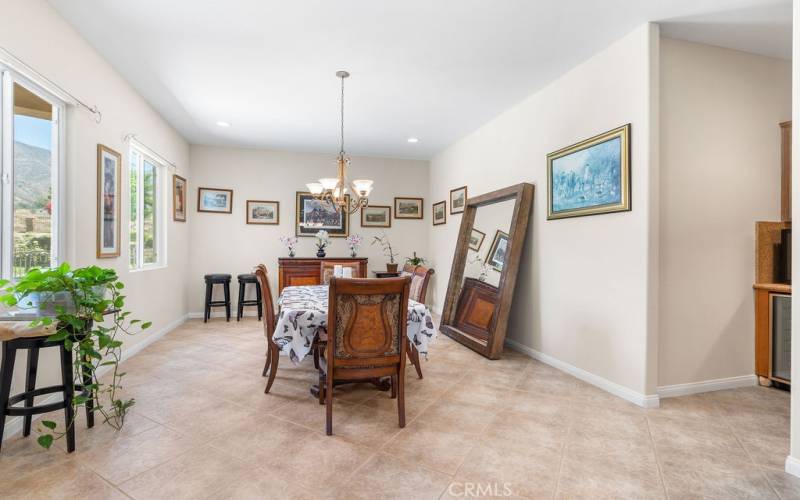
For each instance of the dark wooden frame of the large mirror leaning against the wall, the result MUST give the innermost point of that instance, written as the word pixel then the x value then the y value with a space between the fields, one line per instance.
pixel 523 196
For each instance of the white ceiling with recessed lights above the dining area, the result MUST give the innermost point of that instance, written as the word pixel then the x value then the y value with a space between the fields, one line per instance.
pixel 432 69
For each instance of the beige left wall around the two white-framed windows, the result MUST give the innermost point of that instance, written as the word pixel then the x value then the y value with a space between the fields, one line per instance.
pixel 35 33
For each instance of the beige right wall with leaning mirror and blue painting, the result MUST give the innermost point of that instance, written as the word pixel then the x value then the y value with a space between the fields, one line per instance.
pixel 582 295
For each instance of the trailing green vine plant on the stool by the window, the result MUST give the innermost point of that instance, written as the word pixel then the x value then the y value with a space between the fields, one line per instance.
pixel 85 308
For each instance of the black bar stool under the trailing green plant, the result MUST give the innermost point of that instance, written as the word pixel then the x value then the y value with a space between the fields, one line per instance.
pixel 17 335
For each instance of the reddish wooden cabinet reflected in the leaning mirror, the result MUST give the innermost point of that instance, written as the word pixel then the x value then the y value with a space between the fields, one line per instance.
pixel 475 309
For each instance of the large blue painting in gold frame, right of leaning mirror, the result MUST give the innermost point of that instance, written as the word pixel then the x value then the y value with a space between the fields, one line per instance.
pixel 590 177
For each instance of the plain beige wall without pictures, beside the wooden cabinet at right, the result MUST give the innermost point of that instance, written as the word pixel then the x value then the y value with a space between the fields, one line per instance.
pixel 720 172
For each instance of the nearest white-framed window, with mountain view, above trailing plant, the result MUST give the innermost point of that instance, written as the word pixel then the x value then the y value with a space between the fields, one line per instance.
pixel 31 155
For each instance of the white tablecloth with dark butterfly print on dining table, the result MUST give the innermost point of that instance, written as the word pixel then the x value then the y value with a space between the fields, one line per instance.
pixel 303 317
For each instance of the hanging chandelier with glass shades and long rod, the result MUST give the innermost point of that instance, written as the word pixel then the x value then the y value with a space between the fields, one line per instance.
pixel 336 190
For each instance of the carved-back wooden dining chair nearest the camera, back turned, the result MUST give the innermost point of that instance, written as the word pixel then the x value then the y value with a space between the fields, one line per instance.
pixel 367 322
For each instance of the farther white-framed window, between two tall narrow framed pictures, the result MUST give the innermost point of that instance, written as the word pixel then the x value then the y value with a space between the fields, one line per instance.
pixel 147 219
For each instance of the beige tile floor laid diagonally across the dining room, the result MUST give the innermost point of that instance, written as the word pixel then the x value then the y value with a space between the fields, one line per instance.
pixel 203 428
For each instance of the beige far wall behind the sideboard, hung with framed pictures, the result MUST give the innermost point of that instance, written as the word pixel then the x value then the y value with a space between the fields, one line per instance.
pixel 225 244
